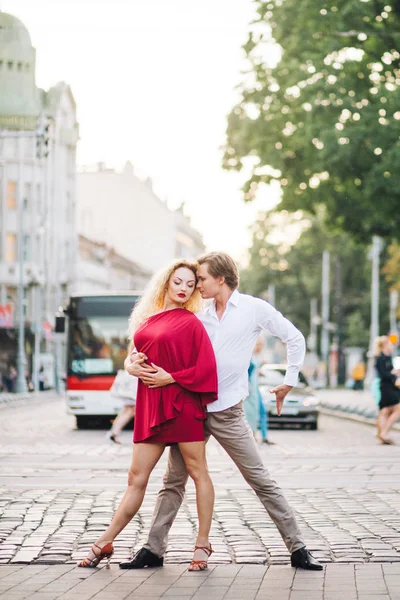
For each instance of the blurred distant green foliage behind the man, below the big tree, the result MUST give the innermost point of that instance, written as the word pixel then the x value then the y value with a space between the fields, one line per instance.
pixel 286 252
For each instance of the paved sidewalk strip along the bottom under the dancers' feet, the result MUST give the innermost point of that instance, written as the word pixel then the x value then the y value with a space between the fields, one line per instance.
pixel 227 582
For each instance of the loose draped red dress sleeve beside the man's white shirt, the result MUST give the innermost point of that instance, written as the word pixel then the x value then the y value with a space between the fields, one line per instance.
pixel 201 373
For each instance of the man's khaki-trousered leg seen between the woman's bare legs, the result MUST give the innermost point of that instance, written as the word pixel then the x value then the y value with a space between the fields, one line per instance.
pixel 168 503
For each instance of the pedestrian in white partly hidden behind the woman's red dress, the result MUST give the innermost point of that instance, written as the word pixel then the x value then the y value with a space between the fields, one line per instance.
pixel 124 388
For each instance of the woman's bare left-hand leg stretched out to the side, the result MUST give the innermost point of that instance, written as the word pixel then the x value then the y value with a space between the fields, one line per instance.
pixel 144 459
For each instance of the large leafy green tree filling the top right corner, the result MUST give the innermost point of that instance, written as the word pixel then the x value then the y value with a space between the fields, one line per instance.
pixel 324 121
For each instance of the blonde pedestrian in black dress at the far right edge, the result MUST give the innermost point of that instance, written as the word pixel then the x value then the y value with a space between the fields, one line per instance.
pixel 389 404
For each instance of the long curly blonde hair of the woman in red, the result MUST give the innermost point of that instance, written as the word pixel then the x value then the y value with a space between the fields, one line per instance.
pixel 153 297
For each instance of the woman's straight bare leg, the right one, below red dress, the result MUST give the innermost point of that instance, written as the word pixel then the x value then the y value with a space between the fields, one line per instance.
pixel 194 455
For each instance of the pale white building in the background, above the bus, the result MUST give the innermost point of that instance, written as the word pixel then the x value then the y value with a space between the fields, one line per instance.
pixel 124 212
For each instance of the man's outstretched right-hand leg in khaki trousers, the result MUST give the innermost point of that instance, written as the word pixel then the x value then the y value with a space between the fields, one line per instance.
pixel 232 432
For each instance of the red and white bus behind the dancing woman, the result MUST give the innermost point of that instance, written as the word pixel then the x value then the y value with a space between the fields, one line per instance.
pixel 96 349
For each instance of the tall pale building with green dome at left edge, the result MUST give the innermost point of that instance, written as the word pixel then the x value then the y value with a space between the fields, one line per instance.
pixel 38 138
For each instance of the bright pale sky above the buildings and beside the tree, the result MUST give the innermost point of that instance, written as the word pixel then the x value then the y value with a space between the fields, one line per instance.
pixel 154 81
